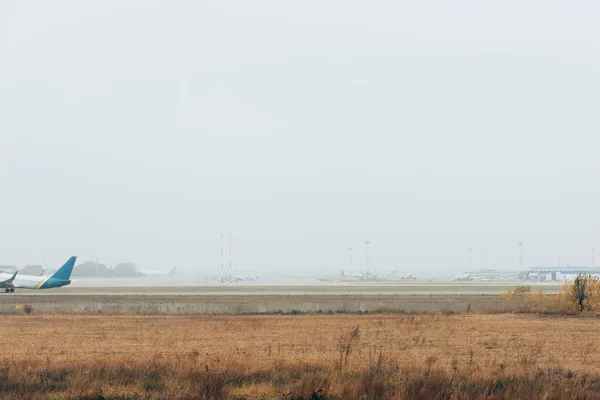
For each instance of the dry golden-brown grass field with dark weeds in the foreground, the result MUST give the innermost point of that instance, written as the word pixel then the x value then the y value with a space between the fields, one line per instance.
pixel 293 356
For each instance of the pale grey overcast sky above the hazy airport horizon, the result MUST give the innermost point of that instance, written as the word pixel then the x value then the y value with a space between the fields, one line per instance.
pixel 142 131
